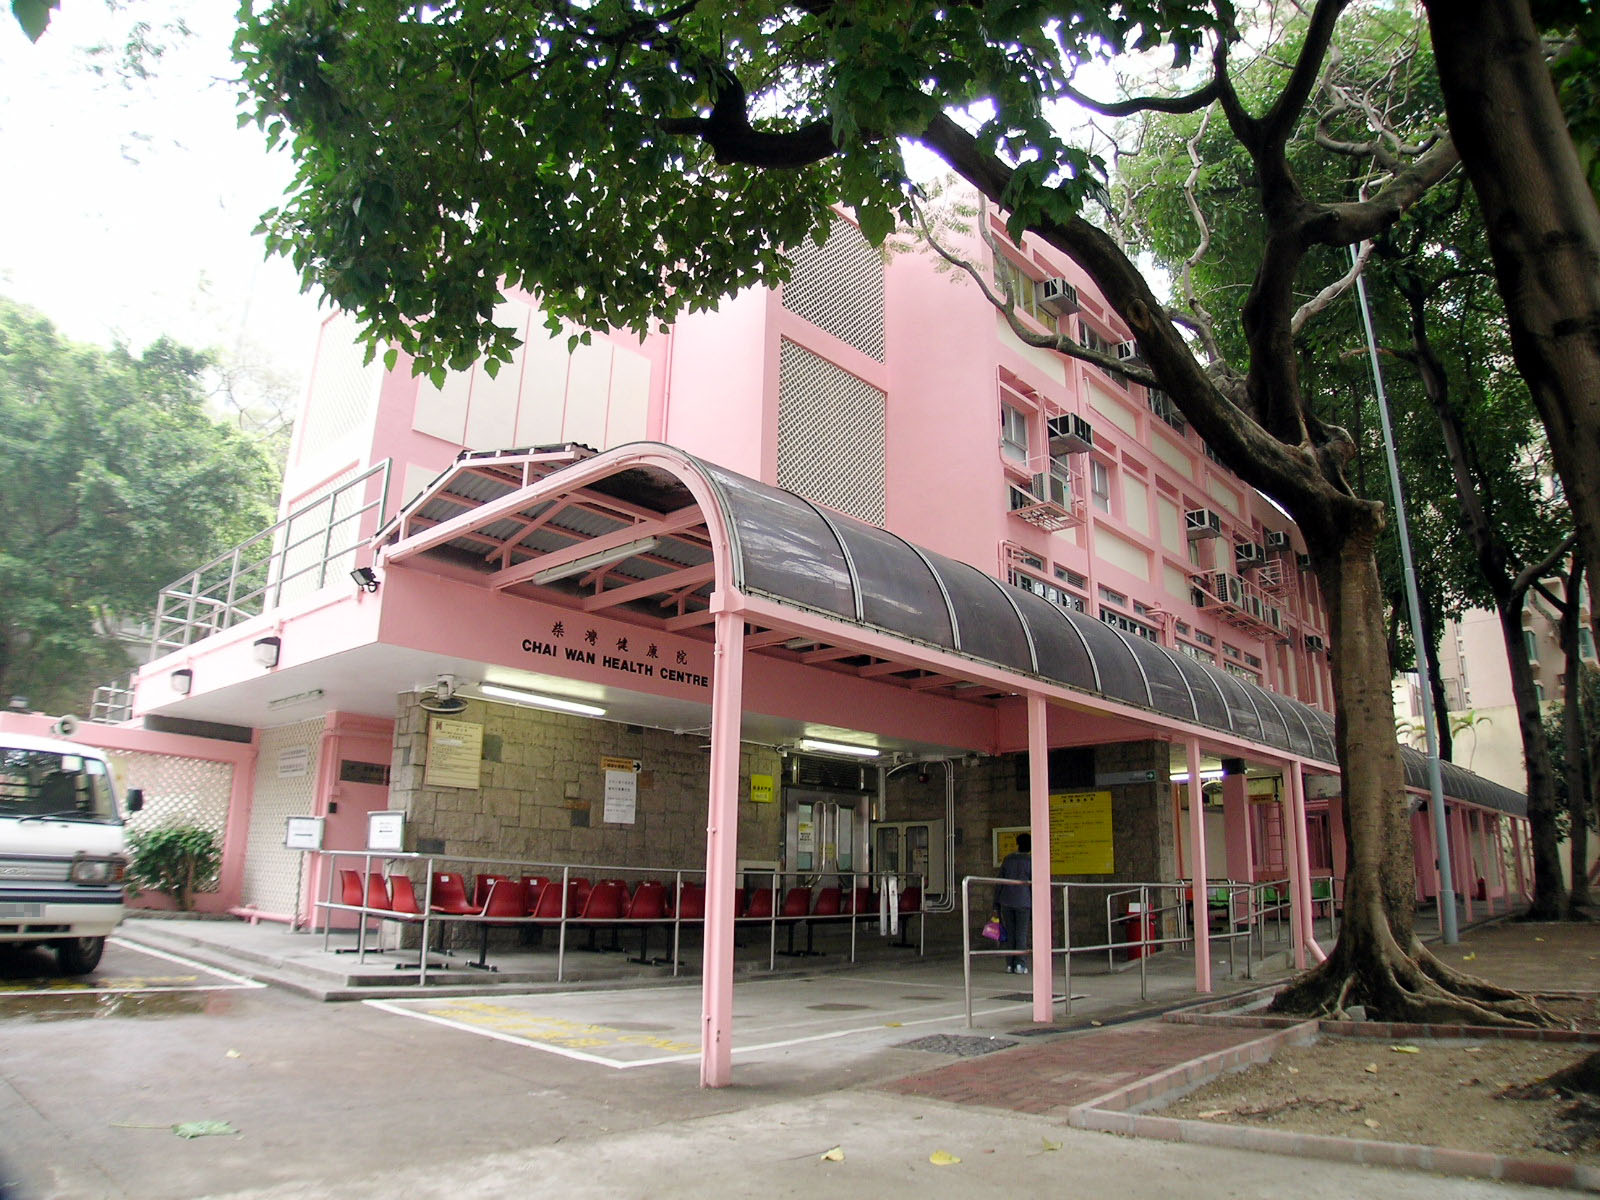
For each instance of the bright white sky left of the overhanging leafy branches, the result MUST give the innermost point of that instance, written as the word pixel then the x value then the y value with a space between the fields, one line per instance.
pixel 127 206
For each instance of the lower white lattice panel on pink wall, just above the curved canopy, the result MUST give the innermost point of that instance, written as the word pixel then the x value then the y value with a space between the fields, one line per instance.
pixel 830 434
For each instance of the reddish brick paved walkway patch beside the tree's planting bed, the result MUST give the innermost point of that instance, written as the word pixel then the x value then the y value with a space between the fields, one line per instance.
pixel 1049 1078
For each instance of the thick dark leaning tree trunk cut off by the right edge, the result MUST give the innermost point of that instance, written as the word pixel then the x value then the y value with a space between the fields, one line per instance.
pixel 1543 226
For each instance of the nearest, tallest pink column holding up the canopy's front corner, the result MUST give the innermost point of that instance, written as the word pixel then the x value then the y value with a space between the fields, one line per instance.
pixel 722 839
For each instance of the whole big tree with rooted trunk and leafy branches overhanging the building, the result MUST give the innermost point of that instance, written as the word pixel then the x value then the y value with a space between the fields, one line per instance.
pixel 631 161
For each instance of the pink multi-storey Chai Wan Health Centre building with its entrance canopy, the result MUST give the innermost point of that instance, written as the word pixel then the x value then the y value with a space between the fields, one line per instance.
pixel 918 585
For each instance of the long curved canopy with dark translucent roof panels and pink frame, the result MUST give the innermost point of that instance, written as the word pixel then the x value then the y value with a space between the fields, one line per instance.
pixel 806 558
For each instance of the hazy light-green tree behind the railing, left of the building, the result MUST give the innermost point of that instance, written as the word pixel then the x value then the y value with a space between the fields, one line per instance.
pixel 114 481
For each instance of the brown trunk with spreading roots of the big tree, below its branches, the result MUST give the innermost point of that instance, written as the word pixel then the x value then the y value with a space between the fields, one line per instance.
pixel 1378 961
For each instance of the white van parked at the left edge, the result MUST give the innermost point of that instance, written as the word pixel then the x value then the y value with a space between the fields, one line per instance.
pixel 62 849
